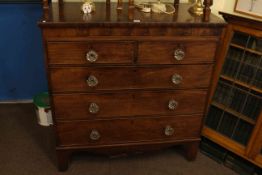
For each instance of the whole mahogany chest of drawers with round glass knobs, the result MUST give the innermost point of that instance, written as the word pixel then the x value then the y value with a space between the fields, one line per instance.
pixel 119 86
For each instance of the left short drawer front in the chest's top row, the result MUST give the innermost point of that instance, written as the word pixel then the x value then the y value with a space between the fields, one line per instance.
pixel 90 52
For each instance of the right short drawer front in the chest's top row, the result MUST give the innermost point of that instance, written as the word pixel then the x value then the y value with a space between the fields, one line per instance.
pixel 176 53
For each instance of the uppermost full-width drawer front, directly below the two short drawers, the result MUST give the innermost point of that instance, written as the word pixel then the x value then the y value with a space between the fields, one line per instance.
pixel 115 78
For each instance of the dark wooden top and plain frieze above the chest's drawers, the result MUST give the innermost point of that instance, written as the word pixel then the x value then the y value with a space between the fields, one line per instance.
pixel 107 21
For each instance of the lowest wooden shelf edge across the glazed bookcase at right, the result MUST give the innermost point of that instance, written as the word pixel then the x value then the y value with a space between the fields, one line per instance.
pixel 233 112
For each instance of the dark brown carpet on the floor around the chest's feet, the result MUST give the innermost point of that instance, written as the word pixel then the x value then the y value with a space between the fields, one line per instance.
pixel 28 149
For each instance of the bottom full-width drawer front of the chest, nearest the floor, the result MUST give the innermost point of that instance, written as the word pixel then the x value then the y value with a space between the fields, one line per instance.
pixel 105 132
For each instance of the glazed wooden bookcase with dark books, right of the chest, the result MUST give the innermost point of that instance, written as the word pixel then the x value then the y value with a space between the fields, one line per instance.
pixel 234 119
